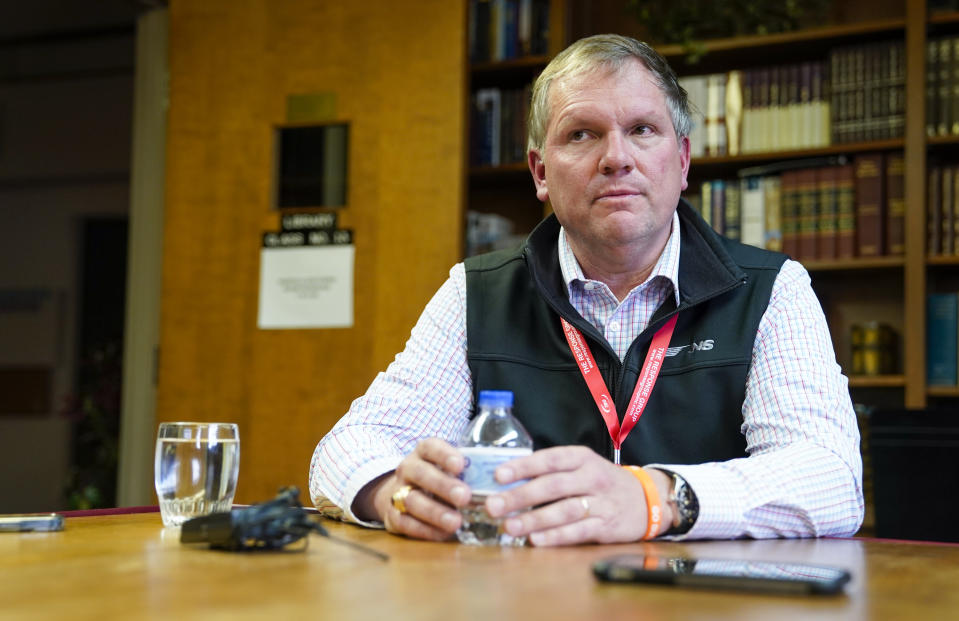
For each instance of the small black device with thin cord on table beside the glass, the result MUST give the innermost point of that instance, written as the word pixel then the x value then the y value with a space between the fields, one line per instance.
pixel 269 525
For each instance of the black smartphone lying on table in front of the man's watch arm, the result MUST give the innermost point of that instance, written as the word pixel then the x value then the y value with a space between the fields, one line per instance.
pixel 738 574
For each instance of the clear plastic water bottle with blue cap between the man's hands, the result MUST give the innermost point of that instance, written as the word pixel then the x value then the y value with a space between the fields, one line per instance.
pixel 492 438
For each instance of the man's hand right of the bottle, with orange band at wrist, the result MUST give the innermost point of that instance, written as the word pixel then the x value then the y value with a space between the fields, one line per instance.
pixel 564 482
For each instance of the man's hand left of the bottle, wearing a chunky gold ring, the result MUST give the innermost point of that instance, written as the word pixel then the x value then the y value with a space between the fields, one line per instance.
pixel 431 506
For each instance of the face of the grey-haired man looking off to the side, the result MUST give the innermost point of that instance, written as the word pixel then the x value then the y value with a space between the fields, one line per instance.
pixel 611 164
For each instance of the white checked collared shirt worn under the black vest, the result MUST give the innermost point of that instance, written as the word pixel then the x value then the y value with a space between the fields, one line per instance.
pixel 802 478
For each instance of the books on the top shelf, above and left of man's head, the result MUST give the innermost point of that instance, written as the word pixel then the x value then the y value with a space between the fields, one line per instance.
pixel 505 29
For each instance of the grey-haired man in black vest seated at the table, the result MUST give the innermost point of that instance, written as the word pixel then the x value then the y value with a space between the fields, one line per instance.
pixel 748 429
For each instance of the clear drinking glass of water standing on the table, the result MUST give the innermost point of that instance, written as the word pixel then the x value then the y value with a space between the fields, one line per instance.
pixel 195 469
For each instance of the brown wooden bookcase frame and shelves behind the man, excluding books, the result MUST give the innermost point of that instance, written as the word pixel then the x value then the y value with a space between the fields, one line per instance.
pixel 889 289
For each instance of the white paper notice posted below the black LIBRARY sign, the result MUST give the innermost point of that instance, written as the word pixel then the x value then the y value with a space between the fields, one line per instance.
pixel 306 287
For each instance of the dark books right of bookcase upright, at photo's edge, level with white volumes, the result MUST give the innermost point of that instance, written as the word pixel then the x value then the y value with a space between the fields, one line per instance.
pixel 942 86
